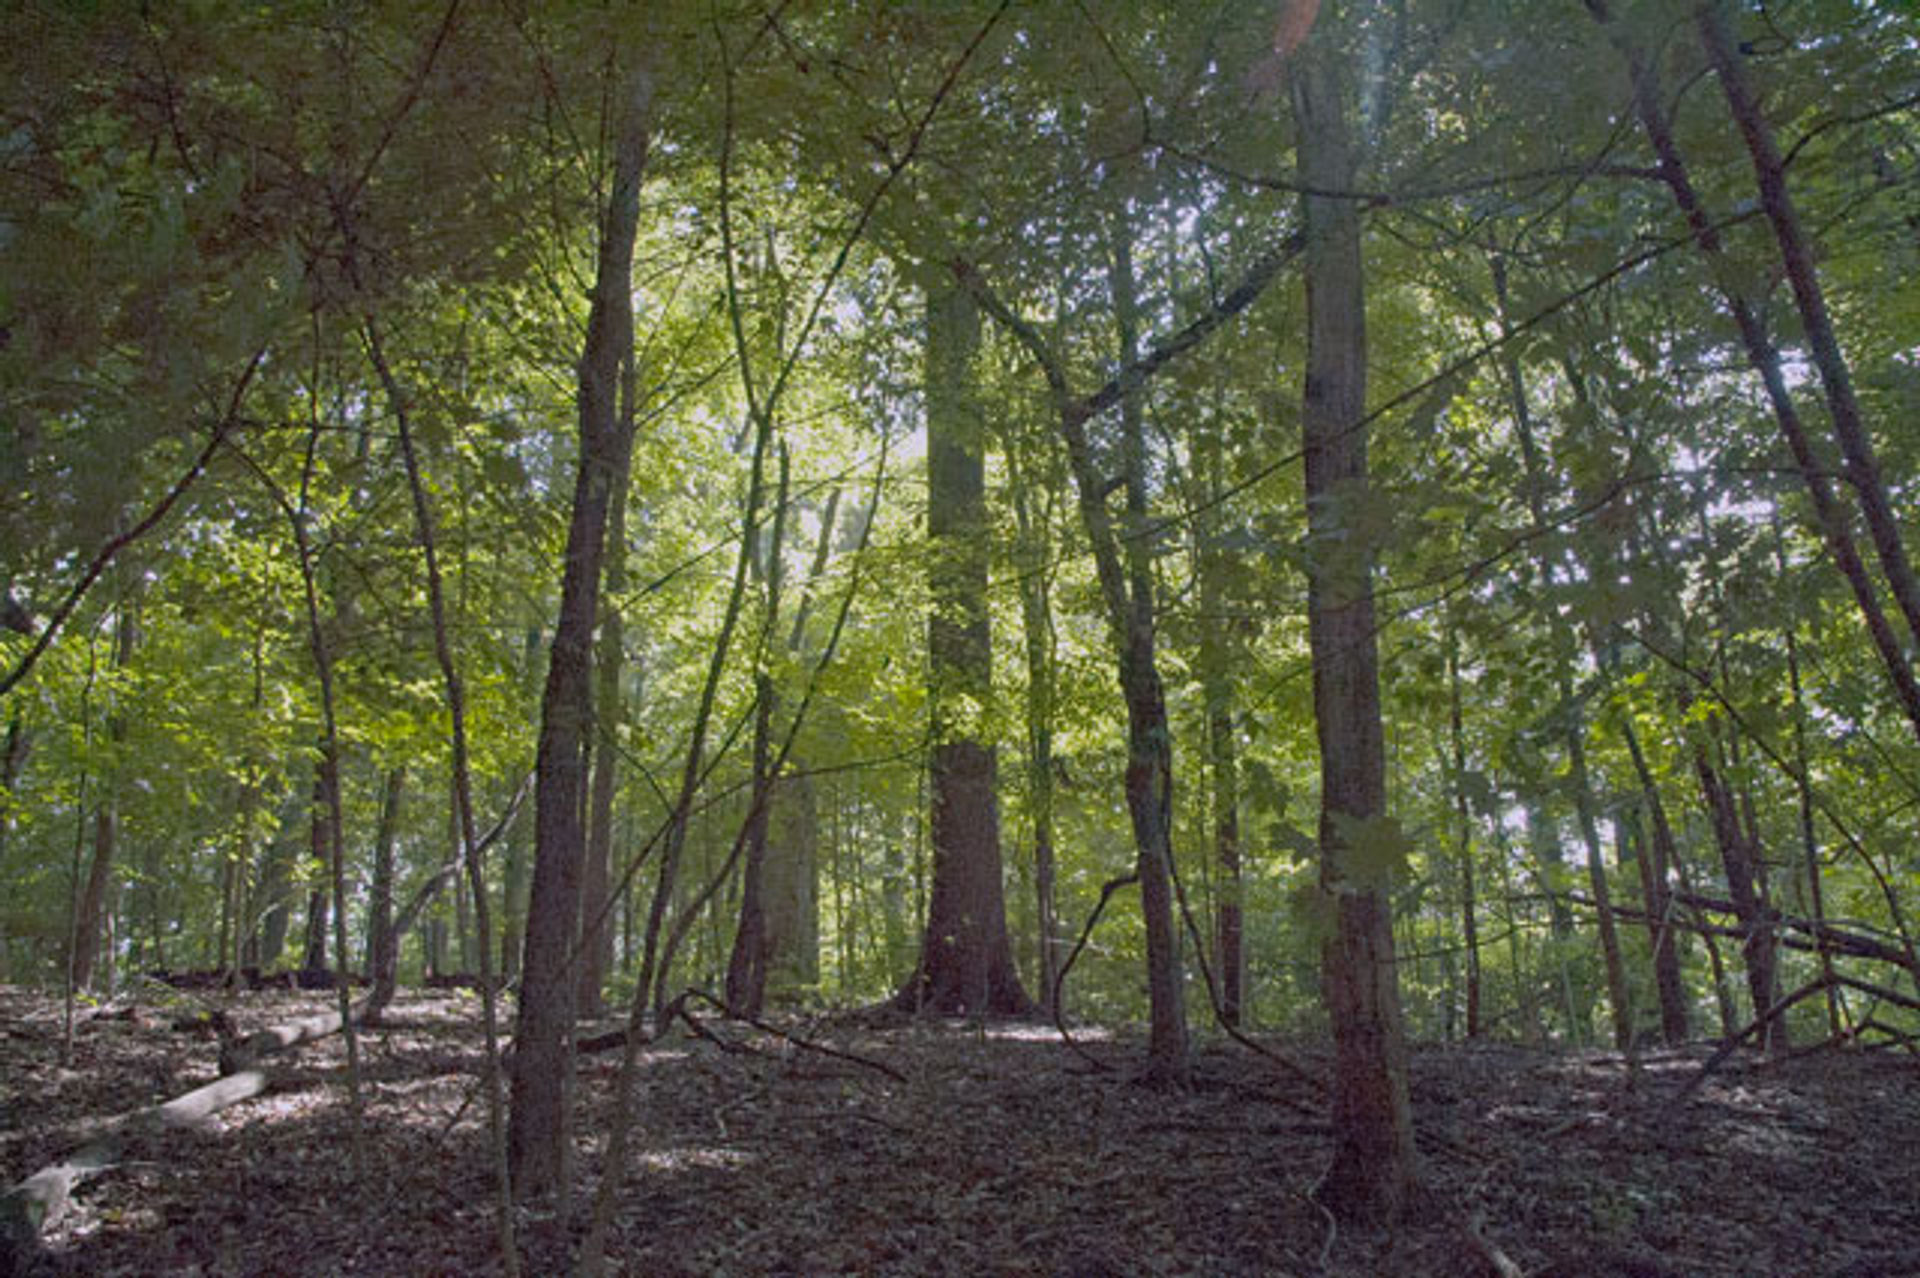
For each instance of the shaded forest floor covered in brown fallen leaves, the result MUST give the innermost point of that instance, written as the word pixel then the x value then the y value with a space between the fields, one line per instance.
pixel 1003 1152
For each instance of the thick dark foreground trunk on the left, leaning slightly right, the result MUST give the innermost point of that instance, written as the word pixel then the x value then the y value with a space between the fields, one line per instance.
pixel 540 1127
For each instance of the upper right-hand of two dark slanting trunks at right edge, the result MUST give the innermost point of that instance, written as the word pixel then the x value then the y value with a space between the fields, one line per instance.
pixel 1836 381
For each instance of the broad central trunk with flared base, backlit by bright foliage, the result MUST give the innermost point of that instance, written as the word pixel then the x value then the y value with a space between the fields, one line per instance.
pixel 967 960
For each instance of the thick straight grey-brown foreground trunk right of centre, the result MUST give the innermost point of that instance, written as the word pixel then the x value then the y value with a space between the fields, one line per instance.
pixel 1374 1170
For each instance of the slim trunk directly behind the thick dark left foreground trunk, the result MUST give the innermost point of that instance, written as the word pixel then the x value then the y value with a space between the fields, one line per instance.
pixel 596 916
